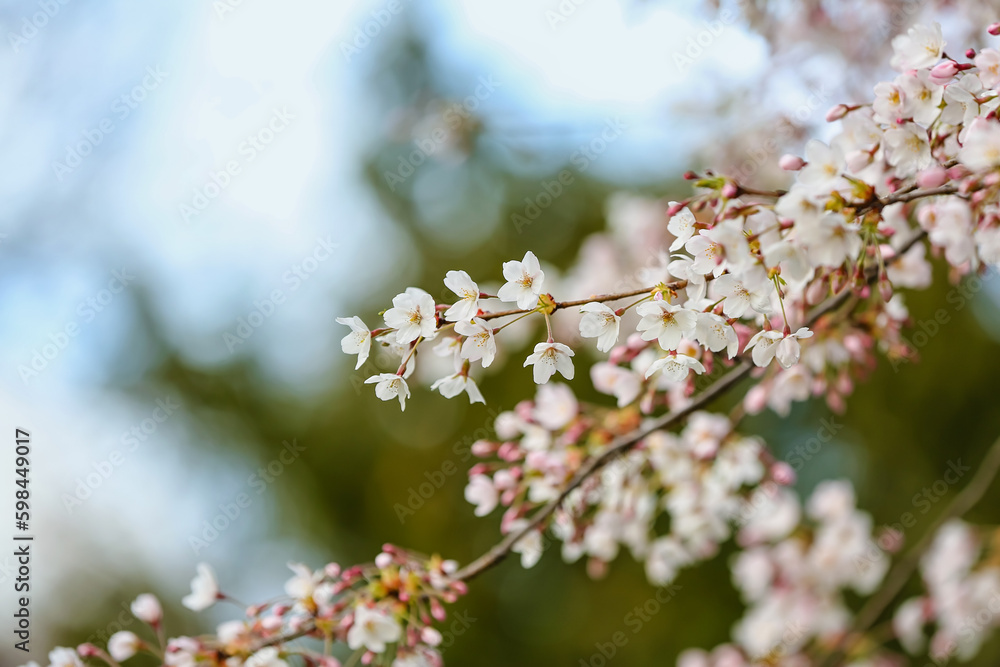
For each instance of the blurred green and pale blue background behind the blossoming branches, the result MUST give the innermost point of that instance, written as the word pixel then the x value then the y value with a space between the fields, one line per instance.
pixel 379 144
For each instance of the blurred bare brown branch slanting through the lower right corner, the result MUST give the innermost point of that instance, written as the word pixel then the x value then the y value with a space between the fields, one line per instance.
pixel 894 583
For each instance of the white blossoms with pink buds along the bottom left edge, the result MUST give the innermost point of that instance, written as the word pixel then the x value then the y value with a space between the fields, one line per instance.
pixel 384 612
